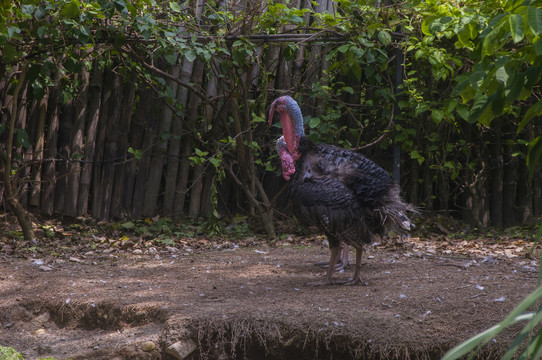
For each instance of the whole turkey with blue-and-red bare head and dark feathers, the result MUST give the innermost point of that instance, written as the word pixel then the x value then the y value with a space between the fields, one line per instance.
pixel 345 195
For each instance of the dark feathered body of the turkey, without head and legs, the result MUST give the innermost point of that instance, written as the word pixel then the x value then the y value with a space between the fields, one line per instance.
pixel 344 194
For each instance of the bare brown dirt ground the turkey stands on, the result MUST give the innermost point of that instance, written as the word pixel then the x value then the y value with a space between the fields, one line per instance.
pixel 249 300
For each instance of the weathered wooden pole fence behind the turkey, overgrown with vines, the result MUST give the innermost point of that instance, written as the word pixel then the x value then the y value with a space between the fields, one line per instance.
pixel 119 150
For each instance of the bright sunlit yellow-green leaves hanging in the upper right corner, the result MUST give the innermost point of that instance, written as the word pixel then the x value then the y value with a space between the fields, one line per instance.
pixel 502 42
